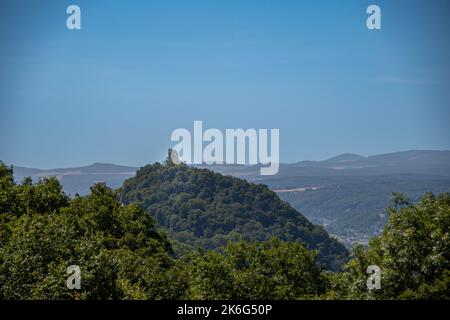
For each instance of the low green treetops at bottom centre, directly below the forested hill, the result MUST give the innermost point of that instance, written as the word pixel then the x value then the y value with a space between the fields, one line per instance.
pixel 256 270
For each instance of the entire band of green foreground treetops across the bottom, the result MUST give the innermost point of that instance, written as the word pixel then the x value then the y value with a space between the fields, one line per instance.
pixel 123 255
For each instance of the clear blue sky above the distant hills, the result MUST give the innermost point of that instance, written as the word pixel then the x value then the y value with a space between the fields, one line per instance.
pixel 116 89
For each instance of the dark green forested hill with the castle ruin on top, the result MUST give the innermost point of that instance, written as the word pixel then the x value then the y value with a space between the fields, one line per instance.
pixel 201 208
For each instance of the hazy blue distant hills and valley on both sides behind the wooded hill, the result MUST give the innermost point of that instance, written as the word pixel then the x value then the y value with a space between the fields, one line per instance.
pixel 347 194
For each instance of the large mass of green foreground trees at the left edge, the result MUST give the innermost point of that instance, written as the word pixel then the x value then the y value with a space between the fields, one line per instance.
pixel 117 248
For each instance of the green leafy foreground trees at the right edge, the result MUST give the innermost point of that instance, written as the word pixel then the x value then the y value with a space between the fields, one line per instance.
pixel 413 253
